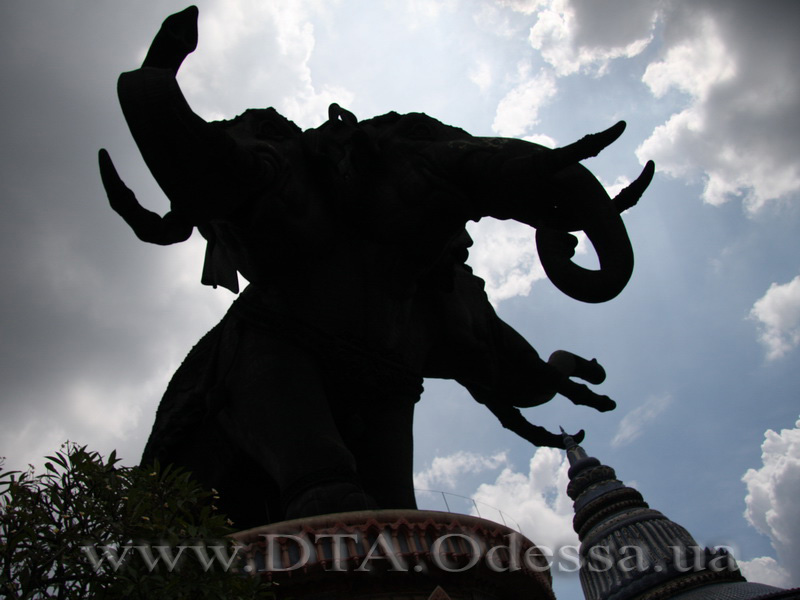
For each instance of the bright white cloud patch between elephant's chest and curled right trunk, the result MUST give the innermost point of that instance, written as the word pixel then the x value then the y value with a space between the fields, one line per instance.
pixel 504 255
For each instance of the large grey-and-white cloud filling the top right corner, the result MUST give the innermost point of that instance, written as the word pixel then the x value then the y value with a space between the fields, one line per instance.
pixel 737 130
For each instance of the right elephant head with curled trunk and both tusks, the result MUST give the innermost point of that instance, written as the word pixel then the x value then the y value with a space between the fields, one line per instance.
pixel 513 179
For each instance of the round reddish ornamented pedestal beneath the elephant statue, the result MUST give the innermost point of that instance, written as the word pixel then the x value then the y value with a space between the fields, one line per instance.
pixel 394 555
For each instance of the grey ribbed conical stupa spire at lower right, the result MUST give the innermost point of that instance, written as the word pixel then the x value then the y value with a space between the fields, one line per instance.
pixel 632 552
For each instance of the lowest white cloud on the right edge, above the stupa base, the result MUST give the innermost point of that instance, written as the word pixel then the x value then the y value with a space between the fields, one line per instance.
pixel 773 509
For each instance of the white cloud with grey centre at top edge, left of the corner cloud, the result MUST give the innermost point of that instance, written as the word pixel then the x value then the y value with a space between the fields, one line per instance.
pixel 577 36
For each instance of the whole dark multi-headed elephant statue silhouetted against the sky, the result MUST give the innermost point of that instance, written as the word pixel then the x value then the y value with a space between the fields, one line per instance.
pixel 352 238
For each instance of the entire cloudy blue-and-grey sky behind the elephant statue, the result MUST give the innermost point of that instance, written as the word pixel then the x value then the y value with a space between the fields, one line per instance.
pixel 701 348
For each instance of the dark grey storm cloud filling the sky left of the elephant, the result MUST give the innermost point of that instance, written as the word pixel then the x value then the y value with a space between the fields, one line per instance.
pixel 82 300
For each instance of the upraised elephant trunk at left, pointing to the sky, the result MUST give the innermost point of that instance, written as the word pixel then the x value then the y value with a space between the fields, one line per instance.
pixel 204 172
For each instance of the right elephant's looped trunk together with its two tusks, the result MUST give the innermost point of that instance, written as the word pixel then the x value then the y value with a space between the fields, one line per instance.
pixel 549 190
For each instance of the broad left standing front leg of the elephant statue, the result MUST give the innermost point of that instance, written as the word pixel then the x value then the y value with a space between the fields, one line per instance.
pixel 279 414
